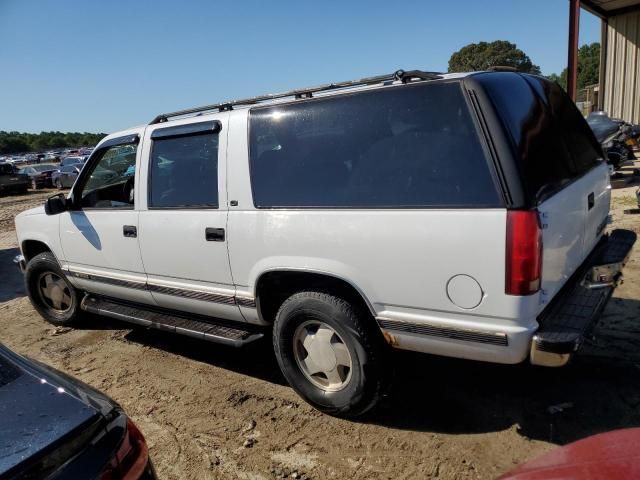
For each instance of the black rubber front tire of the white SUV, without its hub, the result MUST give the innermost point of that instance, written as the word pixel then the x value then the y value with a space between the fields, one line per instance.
pixel 37 268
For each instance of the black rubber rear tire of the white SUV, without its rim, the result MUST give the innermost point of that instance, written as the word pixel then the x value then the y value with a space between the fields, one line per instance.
pixel 358 332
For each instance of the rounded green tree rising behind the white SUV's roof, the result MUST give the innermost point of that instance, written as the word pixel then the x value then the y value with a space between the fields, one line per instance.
pixel 484 55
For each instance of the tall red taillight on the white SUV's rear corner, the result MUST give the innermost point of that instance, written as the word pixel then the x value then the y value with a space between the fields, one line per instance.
pixel 524 252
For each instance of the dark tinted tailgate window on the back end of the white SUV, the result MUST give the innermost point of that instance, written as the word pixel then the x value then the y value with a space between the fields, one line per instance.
pixel 553 143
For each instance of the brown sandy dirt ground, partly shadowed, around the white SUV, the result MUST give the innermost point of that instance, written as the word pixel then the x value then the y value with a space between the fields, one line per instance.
pixel 199 403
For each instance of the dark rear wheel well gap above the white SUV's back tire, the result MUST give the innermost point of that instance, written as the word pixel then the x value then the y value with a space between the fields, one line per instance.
pixel 273 288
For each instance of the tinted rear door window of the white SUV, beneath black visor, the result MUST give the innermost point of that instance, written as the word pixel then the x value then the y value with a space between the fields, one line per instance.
pixel 184 171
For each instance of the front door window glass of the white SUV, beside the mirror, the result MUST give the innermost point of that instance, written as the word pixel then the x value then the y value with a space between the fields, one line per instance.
pixel 110 183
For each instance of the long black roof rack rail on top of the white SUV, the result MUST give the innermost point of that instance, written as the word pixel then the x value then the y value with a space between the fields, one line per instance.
pixel 401 75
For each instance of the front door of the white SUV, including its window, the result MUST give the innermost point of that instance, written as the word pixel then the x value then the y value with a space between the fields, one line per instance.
pixel 99 233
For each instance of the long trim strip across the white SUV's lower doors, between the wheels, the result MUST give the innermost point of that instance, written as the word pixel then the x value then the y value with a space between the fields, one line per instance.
pixel 177 292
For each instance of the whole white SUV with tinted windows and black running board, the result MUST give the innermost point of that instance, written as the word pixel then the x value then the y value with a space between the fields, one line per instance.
pixel 458 215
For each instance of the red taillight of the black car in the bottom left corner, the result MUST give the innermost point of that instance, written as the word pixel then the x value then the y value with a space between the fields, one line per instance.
pixel 131 458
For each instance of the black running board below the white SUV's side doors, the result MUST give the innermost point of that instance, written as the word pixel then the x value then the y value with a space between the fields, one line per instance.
pixel 194 326
